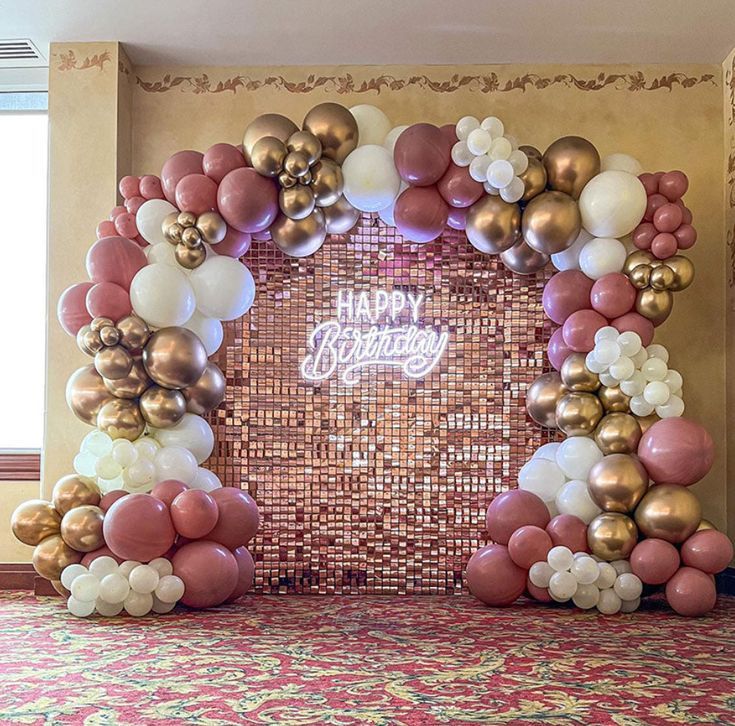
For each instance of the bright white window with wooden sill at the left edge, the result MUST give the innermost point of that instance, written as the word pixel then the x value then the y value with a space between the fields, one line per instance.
pixel 23 184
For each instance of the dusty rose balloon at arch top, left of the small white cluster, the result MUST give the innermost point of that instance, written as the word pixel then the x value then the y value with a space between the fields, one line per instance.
pixel 422 154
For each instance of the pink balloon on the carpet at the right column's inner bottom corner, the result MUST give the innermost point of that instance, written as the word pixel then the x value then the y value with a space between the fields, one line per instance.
pixel 493 577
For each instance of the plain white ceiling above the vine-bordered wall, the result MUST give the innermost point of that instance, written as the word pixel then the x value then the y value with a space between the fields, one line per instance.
pixel 300 32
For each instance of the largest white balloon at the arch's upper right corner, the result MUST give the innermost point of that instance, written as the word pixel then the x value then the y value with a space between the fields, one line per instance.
pixel 612 204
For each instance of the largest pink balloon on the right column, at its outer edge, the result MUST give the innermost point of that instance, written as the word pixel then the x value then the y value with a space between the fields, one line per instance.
pixel 676 451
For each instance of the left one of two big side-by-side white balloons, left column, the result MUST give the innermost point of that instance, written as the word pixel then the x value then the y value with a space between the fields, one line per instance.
pixel 162 295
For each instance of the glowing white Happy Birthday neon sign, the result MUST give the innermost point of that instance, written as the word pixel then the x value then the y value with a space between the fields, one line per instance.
pixel 379 328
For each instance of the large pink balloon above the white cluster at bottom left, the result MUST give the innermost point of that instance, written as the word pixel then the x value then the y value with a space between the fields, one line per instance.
pixel 138 527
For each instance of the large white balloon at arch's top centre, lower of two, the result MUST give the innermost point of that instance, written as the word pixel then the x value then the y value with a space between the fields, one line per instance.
pixel 371 181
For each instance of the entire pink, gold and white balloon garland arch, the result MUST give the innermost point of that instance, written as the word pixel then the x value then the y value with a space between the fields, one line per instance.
pixel 141 525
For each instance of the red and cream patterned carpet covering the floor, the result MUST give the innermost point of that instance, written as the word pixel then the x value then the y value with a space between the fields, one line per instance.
pixel 349 660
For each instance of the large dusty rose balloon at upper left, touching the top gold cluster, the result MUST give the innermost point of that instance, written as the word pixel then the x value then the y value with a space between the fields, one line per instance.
pixel 247 200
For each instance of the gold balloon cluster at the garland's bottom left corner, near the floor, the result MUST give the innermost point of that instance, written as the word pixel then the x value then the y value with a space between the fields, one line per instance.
pixel 63 530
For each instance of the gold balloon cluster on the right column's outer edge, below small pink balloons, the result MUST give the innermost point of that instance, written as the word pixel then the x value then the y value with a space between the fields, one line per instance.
pixel 656 281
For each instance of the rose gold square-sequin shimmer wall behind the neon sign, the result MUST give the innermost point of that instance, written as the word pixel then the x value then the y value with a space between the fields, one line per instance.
pixel 380 487
